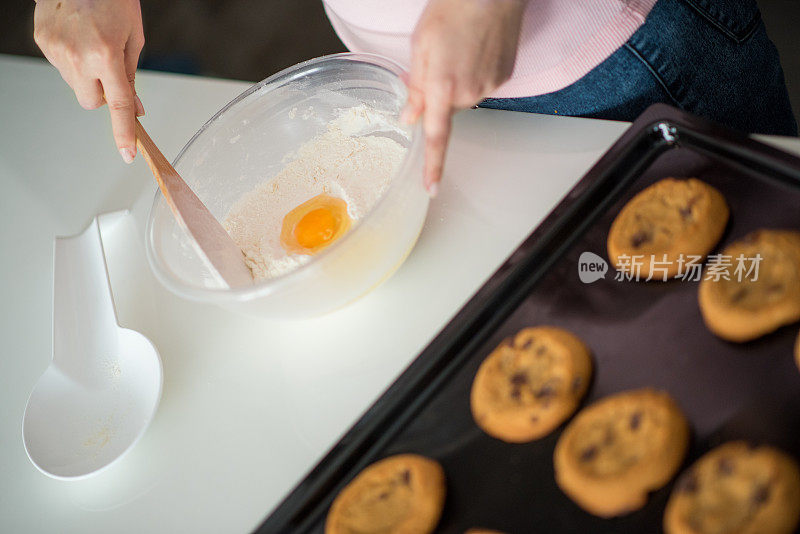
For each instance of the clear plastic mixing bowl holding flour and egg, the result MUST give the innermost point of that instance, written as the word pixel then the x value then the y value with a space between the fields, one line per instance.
pixel 245 144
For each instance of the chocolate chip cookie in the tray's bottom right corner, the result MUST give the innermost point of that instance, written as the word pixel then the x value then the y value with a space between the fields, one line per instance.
pixel 736 488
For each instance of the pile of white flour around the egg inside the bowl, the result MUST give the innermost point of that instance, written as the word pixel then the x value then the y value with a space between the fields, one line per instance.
pixel 355 169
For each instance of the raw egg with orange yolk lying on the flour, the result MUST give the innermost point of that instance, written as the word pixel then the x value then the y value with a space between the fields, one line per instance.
pixel 315 224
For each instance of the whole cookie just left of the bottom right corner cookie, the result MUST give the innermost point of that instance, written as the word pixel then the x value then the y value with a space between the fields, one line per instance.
pixel 620 448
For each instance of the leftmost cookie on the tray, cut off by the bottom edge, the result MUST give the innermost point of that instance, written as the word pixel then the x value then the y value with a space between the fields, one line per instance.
pixel 402 494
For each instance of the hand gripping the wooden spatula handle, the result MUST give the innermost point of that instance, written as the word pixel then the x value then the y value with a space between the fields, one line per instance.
pixel 95 45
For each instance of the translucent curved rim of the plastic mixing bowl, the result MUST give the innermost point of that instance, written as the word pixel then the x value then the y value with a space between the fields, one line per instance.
pixel 266 287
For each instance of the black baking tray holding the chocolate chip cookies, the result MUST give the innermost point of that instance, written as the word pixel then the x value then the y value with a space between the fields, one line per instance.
pixel 641 334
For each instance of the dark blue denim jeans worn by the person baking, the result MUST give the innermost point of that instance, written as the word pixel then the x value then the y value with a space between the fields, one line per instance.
pixel 712 58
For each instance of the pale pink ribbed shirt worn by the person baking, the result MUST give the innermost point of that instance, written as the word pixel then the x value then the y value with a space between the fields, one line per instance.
pixel 560 41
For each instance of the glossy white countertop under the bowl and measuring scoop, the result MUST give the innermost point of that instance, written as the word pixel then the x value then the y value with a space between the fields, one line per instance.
pixel 249 406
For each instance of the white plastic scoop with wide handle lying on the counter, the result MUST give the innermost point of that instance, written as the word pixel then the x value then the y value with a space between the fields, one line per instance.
pixel 101 390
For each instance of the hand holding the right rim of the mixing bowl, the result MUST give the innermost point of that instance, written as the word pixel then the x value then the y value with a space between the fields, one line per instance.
pixel 461 51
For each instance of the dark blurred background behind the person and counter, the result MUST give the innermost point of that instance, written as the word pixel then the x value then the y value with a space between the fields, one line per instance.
pixel 251 39
